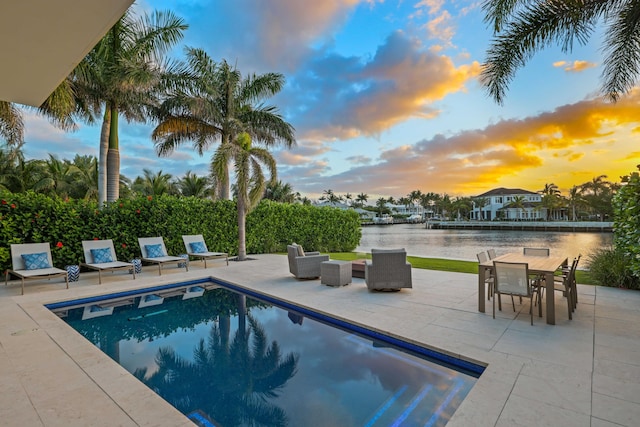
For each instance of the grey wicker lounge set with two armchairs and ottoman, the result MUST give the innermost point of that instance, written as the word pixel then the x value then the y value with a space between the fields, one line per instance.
pixel 388 269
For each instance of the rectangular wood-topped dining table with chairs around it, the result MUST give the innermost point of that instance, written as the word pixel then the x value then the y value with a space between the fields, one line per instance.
pixel 542 265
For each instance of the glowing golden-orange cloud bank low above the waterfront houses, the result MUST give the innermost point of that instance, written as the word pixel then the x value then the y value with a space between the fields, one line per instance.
pixel 541 148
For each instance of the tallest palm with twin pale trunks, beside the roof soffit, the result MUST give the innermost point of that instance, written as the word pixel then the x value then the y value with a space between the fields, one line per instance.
pixel 123 73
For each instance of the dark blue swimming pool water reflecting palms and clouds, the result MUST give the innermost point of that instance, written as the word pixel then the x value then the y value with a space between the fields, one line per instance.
pixel 224 358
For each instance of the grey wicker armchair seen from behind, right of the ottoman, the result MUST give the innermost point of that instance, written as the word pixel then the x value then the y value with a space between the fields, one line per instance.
pixel 388 270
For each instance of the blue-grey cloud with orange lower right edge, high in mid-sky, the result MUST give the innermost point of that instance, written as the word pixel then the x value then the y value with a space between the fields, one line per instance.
pixel 401 81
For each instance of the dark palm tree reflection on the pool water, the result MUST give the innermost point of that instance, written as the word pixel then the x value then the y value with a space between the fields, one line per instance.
pixel 232 382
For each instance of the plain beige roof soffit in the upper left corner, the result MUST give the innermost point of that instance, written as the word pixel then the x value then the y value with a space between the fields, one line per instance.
pixel 42 41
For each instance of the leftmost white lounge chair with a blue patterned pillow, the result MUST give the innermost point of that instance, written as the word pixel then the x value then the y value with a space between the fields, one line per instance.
pixel 31 261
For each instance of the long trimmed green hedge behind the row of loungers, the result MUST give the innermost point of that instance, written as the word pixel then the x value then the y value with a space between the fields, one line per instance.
pixel 31 217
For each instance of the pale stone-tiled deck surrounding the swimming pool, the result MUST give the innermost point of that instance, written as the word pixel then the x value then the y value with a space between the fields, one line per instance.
pixel 580 372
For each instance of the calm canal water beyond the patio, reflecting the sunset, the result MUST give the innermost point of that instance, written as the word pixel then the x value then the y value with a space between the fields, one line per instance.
pixel 465 244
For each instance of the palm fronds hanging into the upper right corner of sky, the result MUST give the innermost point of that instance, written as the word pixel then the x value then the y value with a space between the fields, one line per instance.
pixel 523 28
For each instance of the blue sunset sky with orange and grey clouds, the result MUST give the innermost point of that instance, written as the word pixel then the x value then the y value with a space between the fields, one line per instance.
pixel 385 99
